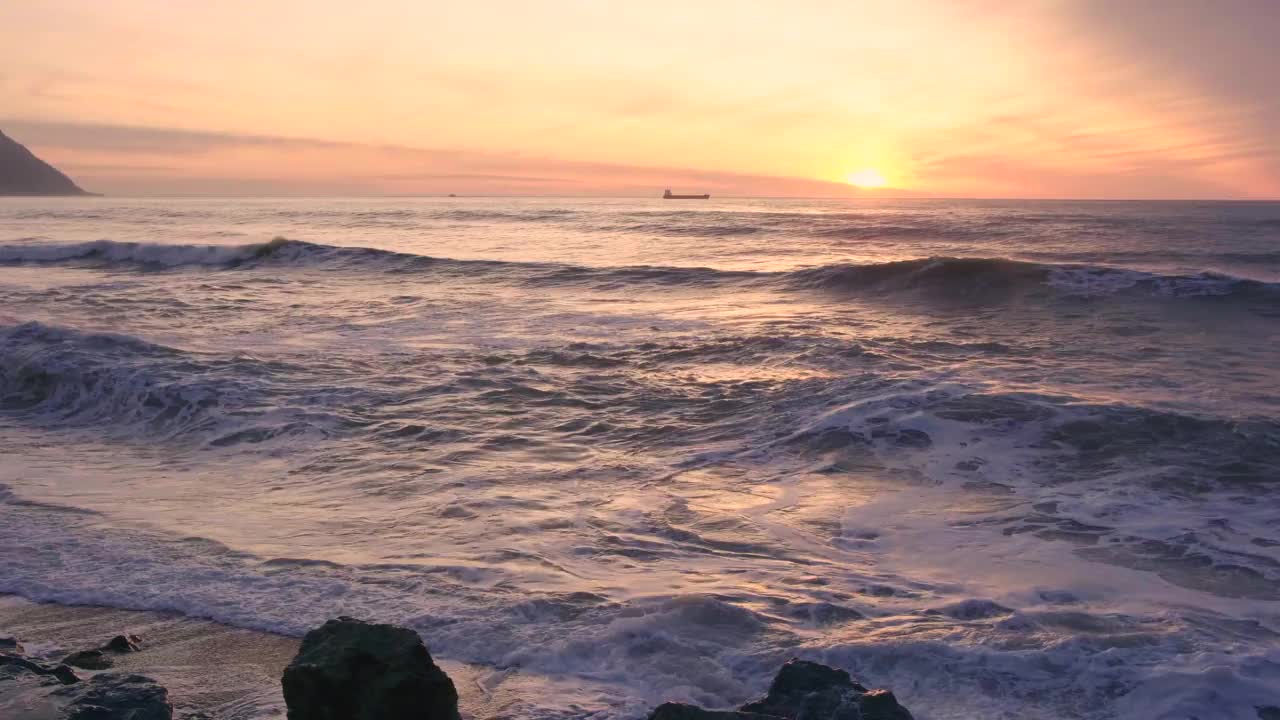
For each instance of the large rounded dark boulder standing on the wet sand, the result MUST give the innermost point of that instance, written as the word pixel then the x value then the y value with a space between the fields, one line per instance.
pixel 354 671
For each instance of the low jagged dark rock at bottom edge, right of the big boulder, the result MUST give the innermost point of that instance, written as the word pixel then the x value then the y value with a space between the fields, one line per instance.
pixel 803 691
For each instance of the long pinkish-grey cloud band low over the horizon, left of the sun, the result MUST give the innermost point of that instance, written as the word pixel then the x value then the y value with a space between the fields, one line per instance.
pixel 198 162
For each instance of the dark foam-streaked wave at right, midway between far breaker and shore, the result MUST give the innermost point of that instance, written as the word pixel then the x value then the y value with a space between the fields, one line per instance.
pixel 1224 450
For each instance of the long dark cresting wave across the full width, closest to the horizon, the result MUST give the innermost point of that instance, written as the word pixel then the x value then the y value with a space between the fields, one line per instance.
pixel 950 276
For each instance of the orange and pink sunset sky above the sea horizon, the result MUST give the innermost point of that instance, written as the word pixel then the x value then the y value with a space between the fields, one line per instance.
pixel 1113 99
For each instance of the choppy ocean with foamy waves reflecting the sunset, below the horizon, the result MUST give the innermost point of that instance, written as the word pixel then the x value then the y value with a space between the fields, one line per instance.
pixel 1012 459
